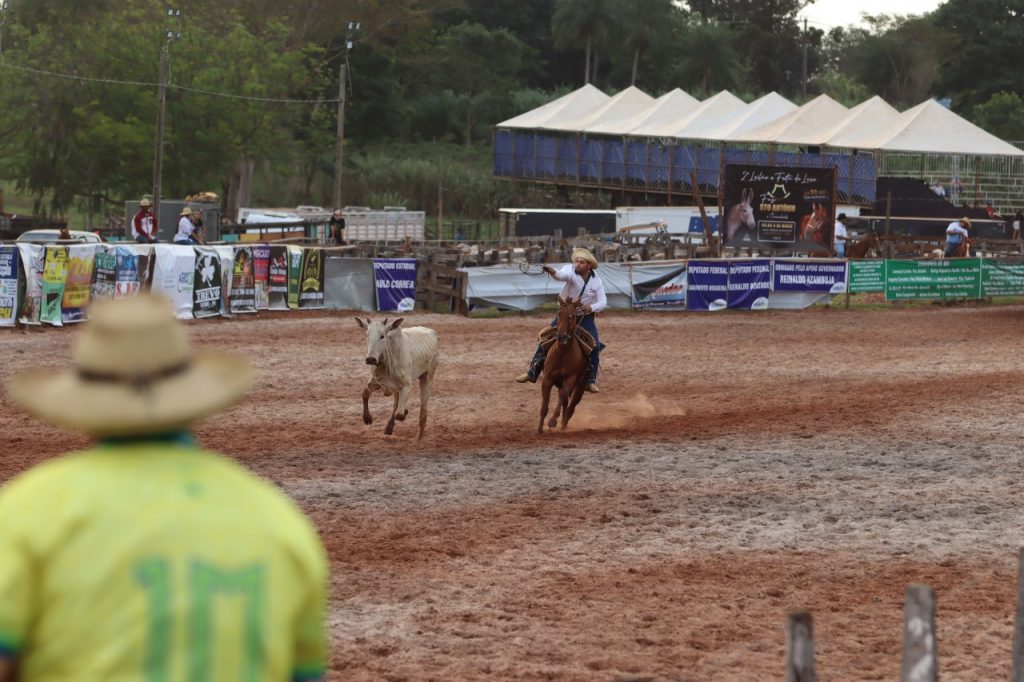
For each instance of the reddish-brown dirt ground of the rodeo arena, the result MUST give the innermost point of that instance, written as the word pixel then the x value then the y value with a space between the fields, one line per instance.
pixel 736 467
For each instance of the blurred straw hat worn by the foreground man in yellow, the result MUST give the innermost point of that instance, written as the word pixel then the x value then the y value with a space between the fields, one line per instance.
pixel 134 375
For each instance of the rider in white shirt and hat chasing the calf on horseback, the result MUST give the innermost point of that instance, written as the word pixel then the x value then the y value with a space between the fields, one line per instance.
pixel 581 282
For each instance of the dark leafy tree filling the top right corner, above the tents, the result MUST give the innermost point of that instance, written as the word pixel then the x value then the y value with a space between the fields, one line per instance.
pixel 983 60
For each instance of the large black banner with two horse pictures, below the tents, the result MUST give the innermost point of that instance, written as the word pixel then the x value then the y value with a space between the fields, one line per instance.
pixel 780 208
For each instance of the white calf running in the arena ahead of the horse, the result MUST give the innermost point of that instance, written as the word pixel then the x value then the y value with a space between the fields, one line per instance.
pixel 398 358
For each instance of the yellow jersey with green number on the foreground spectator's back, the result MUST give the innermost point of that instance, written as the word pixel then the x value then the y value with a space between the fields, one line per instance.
pixel 157 562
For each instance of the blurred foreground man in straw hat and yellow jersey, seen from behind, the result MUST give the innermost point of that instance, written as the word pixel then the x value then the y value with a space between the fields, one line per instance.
pixel 146 558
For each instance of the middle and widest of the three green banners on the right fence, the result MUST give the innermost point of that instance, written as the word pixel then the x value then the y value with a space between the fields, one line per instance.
pixel 956 278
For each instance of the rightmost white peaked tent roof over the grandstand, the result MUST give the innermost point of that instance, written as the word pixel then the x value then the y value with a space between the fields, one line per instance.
pixel 931 129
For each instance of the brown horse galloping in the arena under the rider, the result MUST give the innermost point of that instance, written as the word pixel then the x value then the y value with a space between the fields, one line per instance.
pixel 565 367
